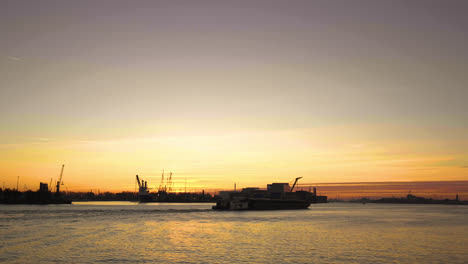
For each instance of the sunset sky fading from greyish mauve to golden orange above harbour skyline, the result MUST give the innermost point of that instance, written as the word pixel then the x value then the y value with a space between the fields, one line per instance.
pixel 224 92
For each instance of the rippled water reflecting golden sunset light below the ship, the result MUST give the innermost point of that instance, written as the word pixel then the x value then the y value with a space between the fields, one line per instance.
pixel 122 232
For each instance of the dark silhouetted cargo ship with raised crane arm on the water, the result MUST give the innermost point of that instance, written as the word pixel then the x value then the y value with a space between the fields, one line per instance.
pixel 277 196
